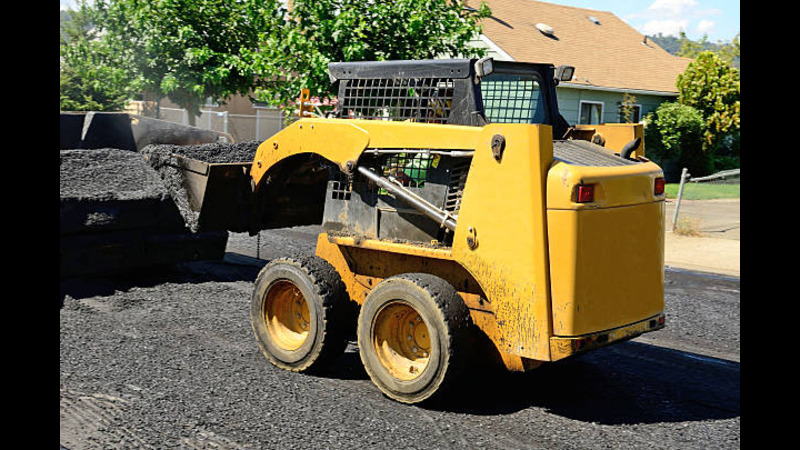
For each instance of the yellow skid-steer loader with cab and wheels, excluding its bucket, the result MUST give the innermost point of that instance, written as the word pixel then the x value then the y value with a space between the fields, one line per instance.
pixel 455 202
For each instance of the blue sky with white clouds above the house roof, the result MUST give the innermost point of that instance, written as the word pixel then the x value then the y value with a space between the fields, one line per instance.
pixel 717 19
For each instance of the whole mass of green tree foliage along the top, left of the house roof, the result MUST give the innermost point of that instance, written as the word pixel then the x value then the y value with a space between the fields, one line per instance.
pixel 191 50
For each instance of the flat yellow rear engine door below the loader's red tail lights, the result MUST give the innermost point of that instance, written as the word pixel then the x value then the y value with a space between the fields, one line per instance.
pixel 606 267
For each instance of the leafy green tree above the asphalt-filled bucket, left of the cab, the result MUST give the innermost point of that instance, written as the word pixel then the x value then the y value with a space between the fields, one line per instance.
pixel 187 50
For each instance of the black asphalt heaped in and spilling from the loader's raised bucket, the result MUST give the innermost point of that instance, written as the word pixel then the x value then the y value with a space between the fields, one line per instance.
pixel 164 159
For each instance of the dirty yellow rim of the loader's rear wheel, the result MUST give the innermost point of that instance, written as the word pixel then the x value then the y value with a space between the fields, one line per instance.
pixel 401 341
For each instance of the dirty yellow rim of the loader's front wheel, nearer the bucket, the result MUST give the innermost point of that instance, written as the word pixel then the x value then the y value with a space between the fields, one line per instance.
pixel 286 315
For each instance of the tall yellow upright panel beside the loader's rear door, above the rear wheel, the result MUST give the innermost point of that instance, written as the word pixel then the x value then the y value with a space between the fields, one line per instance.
pixel 503 212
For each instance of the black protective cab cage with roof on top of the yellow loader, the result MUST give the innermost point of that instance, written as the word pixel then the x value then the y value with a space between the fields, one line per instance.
pixel 443 91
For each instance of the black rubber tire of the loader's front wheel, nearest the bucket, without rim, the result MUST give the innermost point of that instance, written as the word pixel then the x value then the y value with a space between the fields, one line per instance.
pixel 328 310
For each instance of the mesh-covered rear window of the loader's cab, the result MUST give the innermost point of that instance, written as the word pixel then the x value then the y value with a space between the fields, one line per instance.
pixel 512 98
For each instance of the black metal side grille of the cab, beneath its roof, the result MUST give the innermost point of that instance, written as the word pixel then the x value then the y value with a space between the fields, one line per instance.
pixel 419 99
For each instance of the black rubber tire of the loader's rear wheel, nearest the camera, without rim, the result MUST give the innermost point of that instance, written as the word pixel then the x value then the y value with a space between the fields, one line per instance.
pixel 448 324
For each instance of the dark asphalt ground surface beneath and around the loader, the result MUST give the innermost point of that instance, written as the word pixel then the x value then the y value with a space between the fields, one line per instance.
pixel 168 360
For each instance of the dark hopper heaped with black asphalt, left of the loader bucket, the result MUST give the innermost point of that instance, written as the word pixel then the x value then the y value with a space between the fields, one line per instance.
pixel 116 214
